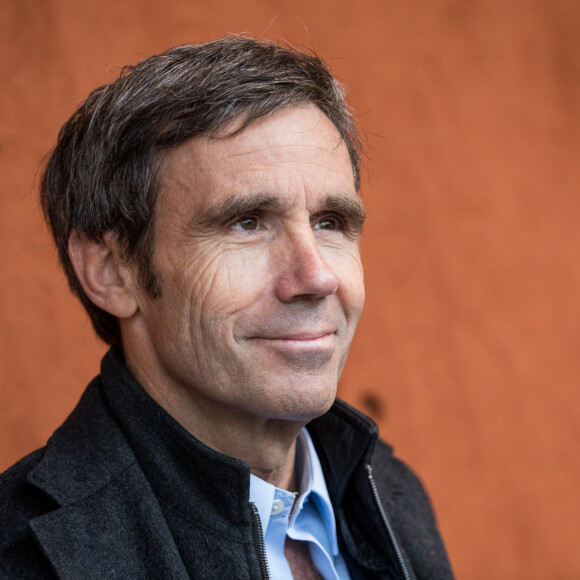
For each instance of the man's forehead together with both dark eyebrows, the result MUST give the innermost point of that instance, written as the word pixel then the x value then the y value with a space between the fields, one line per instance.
pixel 289 162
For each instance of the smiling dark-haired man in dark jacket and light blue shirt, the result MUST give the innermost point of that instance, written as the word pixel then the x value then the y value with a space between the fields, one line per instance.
pixel 205 210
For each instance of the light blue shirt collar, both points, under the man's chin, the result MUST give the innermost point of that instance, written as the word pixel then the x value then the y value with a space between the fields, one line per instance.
pixel 312 488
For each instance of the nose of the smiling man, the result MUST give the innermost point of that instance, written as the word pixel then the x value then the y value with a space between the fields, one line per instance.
pixel 303 273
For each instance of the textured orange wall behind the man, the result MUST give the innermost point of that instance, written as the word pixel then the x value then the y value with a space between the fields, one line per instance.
pixel 467 354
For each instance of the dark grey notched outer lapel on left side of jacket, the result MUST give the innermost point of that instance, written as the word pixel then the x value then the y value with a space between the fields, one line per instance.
pixel 90 472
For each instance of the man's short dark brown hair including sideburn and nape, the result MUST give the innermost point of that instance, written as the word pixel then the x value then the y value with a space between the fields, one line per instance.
pixel 103 178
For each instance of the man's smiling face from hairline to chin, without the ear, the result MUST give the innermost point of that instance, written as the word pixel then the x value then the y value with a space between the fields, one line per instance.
pixel 257 252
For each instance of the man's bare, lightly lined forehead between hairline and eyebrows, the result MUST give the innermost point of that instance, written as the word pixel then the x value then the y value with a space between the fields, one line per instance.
pixel 295 149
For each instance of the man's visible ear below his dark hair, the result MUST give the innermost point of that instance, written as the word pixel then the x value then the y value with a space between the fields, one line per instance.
pixel 105 279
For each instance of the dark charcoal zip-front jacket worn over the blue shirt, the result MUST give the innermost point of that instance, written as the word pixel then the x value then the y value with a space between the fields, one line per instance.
pixel 121 490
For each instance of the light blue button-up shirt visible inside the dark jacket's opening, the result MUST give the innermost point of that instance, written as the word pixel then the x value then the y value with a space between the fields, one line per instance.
pixel 311 521
